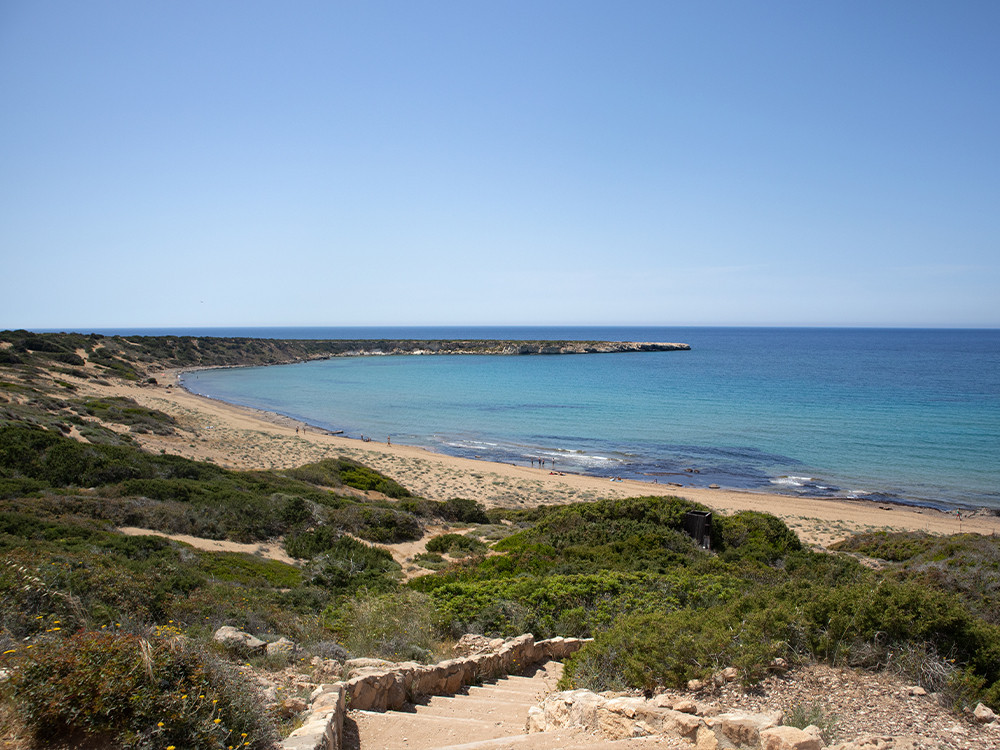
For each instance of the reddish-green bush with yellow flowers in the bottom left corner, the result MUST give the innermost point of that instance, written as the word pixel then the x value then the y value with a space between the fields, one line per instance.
pixel 121 690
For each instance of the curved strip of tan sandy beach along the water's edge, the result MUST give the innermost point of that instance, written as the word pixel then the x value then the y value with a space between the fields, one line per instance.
pixel 242 438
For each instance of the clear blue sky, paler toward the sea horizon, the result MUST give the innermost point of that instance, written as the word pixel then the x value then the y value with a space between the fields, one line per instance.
pixel 508 162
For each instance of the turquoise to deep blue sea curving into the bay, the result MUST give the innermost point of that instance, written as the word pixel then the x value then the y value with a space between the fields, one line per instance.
pixel 893 415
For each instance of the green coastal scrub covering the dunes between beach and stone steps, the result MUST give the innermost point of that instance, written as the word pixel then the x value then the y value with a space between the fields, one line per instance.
pixel 108 637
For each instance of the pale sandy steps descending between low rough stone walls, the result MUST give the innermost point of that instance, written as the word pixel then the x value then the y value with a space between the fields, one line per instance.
pixel 491 716
